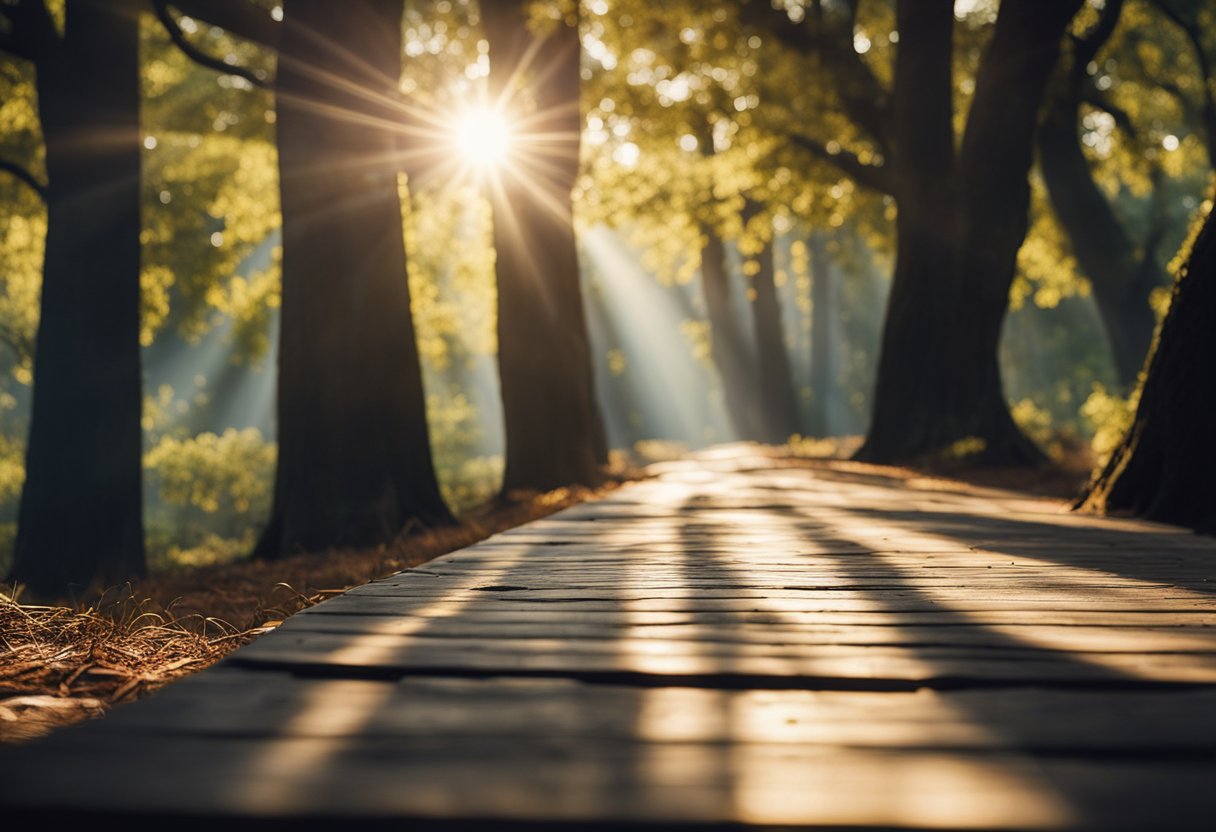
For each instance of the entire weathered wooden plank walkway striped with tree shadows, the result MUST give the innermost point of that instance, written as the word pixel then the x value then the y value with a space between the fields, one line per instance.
pixel 730 644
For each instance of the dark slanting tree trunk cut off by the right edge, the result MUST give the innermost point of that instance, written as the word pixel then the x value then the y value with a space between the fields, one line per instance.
pixel 1163 468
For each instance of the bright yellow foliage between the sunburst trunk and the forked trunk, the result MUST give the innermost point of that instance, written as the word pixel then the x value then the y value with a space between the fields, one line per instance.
pixel 689 117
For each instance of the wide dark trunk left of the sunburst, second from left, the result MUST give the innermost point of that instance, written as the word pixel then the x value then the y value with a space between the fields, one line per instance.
pixel 354 460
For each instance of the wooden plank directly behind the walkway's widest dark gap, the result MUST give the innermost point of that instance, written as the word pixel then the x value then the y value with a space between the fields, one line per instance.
pixel 820 665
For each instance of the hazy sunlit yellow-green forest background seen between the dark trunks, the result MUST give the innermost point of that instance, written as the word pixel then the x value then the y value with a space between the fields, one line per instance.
pixel 696 133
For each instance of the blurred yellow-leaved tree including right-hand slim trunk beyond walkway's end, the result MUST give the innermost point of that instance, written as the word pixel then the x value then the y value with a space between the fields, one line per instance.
pixel 680 165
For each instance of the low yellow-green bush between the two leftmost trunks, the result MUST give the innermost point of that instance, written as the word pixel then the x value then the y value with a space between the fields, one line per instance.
pixel 230 471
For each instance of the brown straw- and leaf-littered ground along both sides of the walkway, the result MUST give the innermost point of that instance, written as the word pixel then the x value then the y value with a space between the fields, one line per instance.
pixel 65 664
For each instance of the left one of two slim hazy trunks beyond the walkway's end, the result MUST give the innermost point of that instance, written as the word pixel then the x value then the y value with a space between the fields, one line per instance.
pixel 727 344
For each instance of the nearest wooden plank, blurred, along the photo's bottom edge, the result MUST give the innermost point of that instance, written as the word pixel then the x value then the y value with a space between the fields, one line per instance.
pixel 562 782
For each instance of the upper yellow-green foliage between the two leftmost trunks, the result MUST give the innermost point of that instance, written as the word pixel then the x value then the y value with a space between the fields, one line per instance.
pixel 211 192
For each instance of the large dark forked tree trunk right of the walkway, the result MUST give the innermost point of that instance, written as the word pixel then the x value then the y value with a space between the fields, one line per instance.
pixel 939 383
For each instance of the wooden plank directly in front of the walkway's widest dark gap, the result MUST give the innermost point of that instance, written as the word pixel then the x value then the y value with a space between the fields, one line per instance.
pixel 232 702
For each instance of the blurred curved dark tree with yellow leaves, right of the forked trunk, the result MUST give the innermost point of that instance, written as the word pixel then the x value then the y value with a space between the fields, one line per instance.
pixel 1121 254
